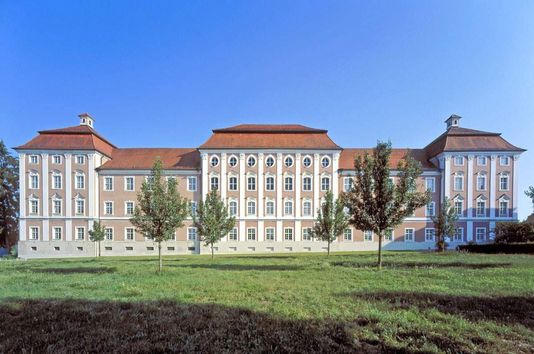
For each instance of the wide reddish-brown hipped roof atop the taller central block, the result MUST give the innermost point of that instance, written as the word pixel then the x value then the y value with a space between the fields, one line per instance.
pixel 268 136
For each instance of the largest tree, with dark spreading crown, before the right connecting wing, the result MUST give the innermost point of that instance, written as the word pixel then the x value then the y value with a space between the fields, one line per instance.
pixel 377 204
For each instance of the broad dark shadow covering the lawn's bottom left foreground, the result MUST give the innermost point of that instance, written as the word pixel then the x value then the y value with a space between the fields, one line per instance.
pixel 100 327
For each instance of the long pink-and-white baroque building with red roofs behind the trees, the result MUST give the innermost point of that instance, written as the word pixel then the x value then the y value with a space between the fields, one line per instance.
pixel 273 178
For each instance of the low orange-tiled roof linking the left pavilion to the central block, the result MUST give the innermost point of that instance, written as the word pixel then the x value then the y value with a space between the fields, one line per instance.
pixel 143 159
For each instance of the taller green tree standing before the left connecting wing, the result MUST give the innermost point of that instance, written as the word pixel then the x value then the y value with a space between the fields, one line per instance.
pixel 160 209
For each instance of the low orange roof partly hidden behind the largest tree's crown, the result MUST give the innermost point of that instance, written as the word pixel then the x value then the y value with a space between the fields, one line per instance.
pixel 346 160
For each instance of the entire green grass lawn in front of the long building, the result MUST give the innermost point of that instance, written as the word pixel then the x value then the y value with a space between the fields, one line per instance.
pixel 420 302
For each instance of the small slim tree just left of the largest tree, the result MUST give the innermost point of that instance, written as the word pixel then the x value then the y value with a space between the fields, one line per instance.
pixel 331 220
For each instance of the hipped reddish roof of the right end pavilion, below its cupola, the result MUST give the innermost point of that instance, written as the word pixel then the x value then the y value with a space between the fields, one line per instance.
pixel 463 139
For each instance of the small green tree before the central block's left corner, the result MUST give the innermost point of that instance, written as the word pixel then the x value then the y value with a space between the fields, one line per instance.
pixel 212 220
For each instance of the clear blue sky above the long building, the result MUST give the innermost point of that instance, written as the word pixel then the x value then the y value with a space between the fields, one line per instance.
pixel 164 73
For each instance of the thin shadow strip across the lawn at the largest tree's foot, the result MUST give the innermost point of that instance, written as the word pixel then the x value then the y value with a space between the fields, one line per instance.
pixel 395 264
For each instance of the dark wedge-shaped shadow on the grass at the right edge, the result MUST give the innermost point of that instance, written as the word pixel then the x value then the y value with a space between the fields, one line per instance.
pixel 500 309
